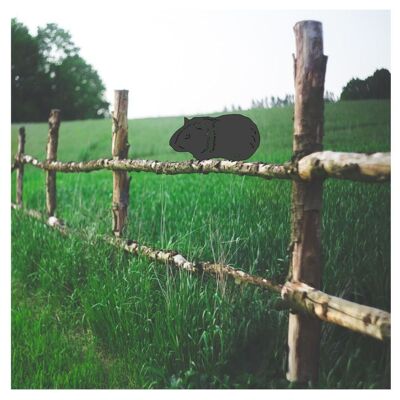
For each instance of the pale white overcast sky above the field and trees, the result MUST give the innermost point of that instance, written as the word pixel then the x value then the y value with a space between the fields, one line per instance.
pixel 186 61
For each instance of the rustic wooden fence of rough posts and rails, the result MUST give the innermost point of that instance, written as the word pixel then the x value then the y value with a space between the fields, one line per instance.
pixel 307 169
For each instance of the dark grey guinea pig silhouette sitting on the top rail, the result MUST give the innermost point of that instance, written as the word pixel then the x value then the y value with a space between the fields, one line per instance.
pixel 233 136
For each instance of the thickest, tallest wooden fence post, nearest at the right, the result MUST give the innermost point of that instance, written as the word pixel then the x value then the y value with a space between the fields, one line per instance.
pixel 309 65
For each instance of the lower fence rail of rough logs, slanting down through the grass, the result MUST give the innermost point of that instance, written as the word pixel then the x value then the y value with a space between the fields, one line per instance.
pixel 297 296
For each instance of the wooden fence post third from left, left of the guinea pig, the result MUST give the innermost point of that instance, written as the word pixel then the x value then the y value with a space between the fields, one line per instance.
pixel 120 147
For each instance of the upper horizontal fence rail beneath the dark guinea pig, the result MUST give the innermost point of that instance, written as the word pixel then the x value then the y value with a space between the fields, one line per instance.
pixel 326 164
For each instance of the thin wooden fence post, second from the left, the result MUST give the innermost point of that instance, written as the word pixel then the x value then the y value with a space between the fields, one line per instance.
pixel 51 150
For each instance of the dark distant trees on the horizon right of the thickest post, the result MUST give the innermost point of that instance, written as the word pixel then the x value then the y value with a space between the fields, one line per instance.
pixel 376 86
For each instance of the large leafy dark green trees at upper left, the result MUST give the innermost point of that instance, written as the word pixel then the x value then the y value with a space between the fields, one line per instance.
pixel 48 72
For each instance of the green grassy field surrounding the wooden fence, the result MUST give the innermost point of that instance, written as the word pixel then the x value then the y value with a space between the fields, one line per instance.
pixel 85 315
